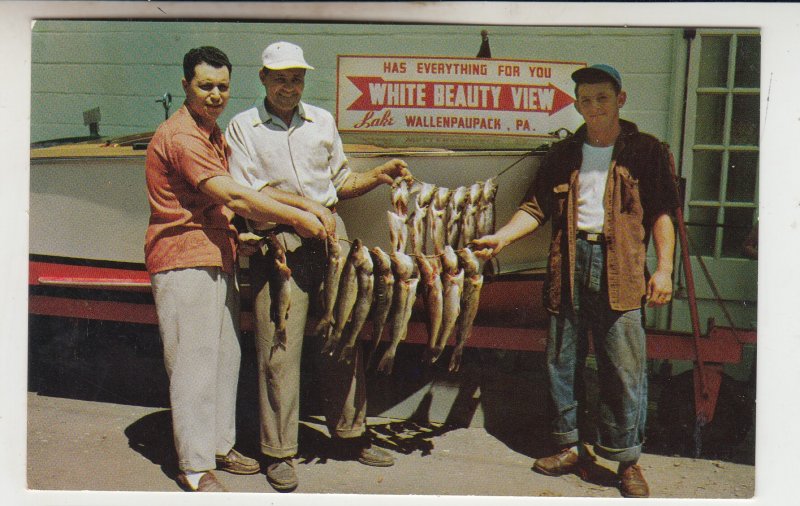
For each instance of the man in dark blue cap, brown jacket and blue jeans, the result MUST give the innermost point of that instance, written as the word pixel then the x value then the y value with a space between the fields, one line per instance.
pixel 605 190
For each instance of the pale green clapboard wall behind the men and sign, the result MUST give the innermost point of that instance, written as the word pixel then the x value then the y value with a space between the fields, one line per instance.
pixel 123 67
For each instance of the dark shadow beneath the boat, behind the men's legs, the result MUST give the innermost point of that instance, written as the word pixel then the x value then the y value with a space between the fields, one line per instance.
pixel 122 363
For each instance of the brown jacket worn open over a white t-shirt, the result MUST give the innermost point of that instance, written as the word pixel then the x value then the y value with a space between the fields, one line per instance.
pixel 639 189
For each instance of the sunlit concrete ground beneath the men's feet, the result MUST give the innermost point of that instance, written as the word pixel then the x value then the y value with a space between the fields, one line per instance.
pixel 84 445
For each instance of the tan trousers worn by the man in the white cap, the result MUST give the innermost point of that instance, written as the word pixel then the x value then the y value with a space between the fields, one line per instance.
pixel 342 385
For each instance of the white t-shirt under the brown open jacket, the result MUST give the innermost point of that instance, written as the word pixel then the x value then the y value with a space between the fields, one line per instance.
pixel 592 187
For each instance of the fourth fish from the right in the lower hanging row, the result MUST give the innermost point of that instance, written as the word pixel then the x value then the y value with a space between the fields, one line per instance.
pixel 405 293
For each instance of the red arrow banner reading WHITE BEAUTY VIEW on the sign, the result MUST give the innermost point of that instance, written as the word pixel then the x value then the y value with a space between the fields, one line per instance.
pixel 378 94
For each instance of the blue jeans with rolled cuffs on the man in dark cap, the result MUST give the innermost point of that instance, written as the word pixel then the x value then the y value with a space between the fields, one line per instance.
pixel 620 350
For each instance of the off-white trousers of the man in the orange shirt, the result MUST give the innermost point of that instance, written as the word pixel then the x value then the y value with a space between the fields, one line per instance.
pixel 198 317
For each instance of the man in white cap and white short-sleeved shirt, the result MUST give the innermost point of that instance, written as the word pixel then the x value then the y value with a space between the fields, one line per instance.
pixel 292 151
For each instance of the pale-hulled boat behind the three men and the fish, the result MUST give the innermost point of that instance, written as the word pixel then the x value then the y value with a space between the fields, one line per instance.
pixel 89 213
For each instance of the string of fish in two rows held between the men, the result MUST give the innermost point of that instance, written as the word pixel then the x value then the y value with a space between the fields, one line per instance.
pixel 371 283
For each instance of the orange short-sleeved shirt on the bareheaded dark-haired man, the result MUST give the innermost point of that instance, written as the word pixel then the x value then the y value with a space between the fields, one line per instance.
pixel 187 228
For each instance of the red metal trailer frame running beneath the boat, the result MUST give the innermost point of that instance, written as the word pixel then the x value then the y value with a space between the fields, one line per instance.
pixel 511 317
